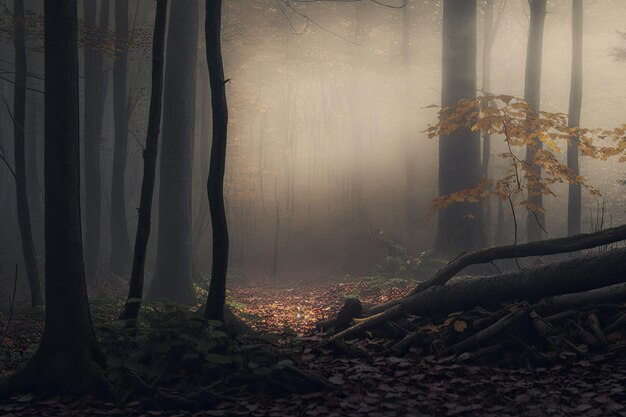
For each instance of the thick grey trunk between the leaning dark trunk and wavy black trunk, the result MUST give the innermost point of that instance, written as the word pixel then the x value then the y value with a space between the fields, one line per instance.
pixel 173 275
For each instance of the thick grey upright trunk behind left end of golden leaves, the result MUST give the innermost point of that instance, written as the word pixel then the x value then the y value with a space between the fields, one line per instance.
pixel 460 225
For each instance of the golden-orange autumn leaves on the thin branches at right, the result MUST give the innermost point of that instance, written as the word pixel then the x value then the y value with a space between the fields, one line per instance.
pixel 520 126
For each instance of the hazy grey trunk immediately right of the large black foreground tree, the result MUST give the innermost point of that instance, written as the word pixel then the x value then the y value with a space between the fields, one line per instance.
pixel 95 92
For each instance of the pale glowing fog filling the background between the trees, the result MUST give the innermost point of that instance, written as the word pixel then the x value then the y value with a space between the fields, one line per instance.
pixel 327 153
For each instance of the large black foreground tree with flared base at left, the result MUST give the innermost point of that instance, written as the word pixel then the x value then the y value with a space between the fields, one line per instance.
pixel 68 359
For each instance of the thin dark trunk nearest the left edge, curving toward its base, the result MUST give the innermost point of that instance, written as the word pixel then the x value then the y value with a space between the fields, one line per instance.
pixel 19 114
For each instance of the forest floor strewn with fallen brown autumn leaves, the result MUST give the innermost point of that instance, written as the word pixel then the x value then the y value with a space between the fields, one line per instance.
pixel 370 384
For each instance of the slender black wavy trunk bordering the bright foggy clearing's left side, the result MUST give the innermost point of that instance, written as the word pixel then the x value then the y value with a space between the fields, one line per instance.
pixel 215 183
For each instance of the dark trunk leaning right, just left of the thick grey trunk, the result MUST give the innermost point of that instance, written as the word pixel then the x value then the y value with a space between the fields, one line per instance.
pixel 135 291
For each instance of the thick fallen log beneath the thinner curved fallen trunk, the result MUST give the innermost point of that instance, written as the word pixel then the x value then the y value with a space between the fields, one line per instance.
pixel 580 274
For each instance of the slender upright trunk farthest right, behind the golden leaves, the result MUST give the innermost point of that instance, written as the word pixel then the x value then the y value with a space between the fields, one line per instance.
pixel 575 104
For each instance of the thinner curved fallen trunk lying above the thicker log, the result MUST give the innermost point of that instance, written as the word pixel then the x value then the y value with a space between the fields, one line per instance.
pixel 540 248
